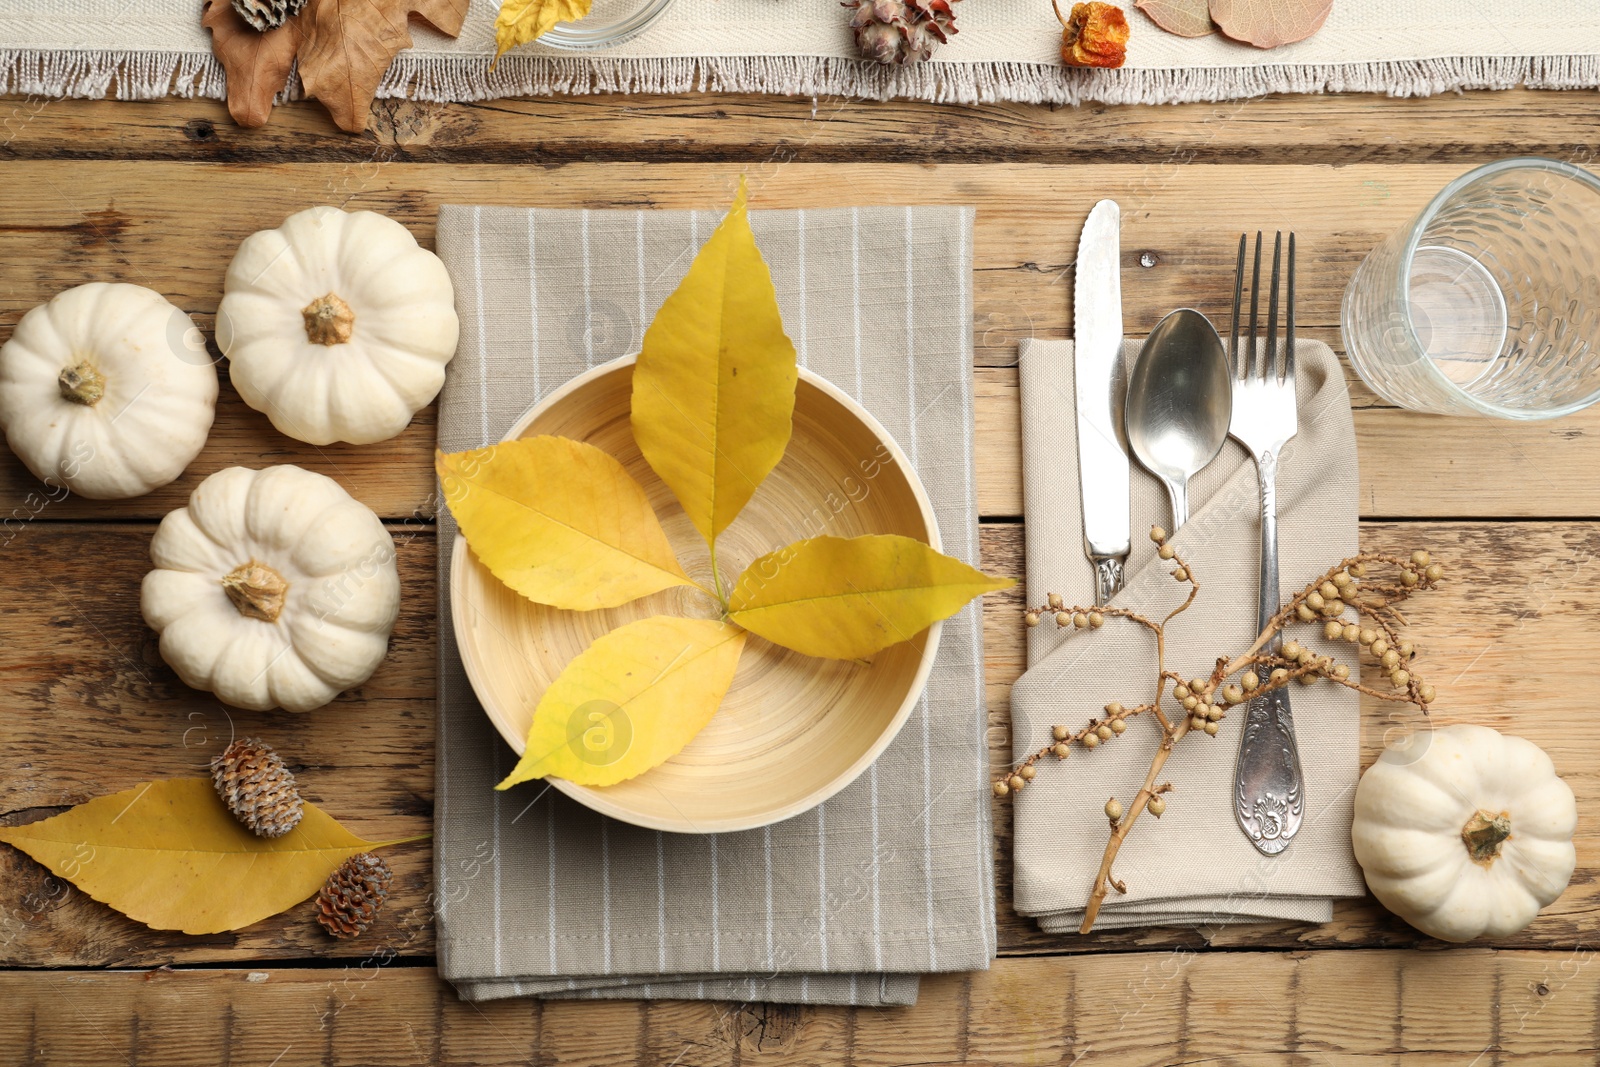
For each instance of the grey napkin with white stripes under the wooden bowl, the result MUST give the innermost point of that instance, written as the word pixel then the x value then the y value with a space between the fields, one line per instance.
pixel 852 901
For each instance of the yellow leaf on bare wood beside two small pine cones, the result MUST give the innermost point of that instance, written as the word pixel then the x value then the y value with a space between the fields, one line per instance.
pixel 170 857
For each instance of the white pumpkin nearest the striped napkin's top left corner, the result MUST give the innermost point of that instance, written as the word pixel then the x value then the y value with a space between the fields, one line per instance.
pixel 337 326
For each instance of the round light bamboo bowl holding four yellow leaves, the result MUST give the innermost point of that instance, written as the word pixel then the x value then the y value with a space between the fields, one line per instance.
pixel 793 730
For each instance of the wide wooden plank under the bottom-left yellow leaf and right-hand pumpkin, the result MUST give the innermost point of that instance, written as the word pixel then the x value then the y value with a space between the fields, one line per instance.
pixel 92 709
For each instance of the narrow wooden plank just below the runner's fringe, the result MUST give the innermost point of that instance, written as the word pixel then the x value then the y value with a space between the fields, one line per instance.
pixel 697 127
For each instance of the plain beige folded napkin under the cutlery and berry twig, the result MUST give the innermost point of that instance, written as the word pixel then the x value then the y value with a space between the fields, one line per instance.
pixel 1194 866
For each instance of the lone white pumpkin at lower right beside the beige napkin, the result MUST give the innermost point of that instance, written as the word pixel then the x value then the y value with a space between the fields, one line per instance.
pixel 1465 833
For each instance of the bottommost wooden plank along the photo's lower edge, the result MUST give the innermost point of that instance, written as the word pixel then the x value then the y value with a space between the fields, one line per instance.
pixel 1134 1010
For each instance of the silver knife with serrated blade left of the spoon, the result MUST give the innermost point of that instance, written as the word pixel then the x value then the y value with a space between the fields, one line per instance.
pixel 1098 382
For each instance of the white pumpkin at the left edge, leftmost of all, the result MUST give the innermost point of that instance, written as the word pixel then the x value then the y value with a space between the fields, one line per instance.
pixel 108 391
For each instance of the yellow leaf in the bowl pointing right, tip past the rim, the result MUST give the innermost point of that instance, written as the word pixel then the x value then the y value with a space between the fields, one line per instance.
pixel 850 597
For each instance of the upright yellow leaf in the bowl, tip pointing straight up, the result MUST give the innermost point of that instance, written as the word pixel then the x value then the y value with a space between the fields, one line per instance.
pixel 714 390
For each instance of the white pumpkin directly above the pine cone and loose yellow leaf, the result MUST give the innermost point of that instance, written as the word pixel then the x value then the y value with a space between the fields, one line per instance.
pixel 273 589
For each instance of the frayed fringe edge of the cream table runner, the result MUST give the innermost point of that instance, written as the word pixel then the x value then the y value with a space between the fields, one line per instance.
pixel 146 76
